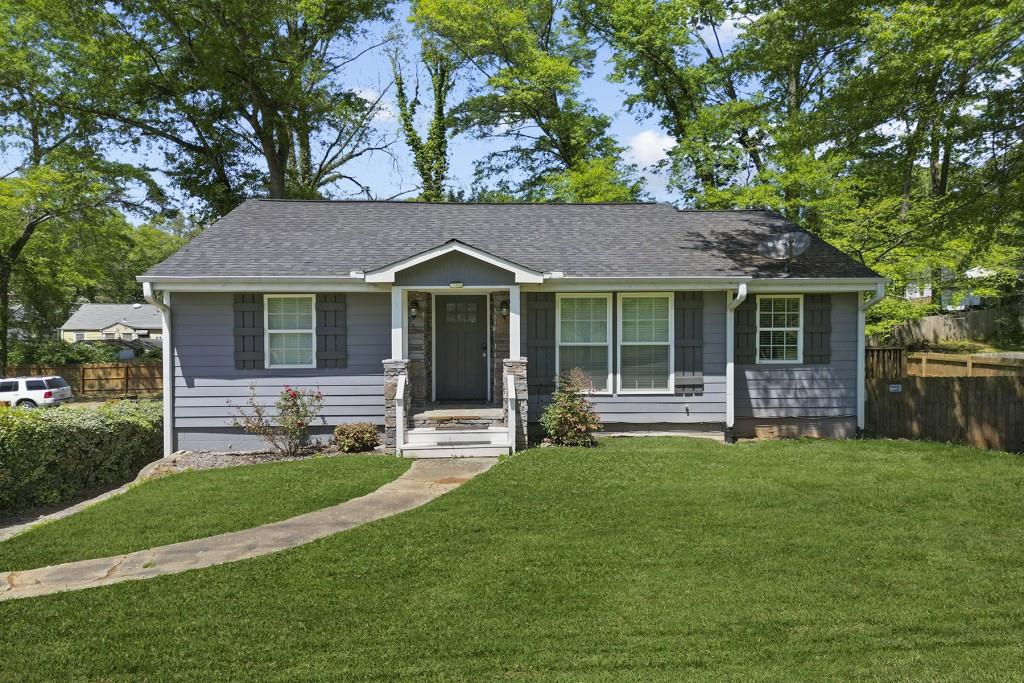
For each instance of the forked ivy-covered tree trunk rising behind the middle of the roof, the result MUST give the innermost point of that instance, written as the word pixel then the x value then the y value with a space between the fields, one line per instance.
pixel 431 156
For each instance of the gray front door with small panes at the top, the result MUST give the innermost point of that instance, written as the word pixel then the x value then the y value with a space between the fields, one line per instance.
pixel 462 348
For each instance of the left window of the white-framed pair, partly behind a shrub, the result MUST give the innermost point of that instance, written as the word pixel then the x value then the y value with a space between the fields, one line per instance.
pixel 584 331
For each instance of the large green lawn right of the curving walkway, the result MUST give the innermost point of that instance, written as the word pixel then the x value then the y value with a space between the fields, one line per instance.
pixel 644 560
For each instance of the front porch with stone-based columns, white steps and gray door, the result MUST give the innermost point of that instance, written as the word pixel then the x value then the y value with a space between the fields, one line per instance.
pixel 457 383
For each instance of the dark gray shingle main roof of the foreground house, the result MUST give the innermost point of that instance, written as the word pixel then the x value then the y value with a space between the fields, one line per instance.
pixel 282 238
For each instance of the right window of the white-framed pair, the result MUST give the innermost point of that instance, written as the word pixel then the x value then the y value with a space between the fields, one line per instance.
pixel 646 330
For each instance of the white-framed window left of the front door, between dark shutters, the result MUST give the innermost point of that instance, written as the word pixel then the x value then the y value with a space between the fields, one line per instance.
pixel 289 329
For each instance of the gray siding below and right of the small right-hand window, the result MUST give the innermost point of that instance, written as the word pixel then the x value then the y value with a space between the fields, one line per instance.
pixel 806 392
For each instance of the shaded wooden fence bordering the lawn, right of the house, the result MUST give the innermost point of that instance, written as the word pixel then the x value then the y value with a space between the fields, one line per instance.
pixel 986 412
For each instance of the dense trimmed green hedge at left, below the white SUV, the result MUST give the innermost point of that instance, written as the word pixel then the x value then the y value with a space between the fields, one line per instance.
pixel 49 456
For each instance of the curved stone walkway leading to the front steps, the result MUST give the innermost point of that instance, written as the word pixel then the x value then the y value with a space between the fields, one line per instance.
pixel 424 482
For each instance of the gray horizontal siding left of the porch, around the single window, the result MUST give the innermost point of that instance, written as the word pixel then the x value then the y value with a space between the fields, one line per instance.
pixel 206 383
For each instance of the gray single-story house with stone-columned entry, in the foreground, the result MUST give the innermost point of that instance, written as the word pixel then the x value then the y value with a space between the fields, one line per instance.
pixel 393 310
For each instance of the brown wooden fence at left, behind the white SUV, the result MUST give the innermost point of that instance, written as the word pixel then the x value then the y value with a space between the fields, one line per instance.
pixel 103 379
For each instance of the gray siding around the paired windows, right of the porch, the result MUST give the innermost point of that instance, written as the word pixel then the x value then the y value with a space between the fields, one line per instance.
pixel 664 409
